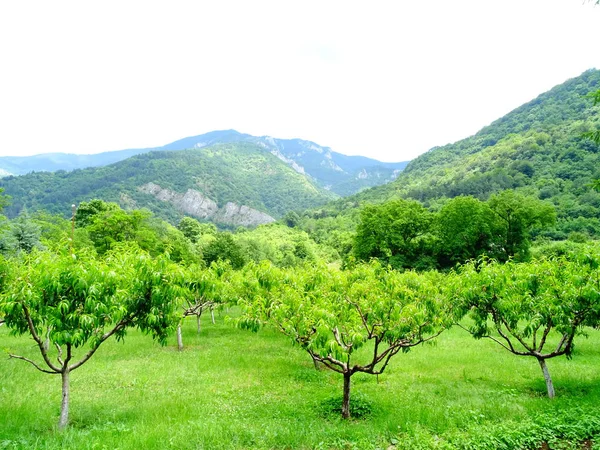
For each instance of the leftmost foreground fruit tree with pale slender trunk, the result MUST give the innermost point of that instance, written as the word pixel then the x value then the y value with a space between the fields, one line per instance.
pixel 70 305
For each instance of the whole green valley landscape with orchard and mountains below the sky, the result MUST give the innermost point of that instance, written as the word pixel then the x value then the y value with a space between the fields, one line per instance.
pixel 233 291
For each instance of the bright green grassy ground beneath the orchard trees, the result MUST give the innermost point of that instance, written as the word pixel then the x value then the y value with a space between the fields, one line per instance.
pixel 233 389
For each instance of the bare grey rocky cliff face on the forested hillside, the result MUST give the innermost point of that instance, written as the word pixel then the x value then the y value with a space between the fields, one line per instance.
pixel 194 203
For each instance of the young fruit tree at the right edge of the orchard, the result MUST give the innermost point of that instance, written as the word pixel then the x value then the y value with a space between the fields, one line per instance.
pixel 531 309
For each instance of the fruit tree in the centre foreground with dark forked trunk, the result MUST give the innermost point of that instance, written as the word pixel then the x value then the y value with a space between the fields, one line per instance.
pixel 332 314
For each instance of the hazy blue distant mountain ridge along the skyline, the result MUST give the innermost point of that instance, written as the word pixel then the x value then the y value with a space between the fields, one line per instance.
pixel 339 173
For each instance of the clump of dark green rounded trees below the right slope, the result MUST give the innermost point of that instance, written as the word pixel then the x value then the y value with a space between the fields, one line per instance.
pixel 404 234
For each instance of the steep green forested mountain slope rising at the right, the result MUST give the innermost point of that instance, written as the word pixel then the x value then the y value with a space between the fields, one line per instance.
pixel 539 149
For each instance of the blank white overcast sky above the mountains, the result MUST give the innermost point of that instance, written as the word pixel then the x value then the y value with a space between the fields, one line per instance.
pixel 385 79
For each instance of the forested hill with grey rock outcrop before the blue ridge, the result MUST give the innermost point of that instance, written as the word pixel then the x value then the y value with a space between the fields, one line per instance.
pixel 231 184
